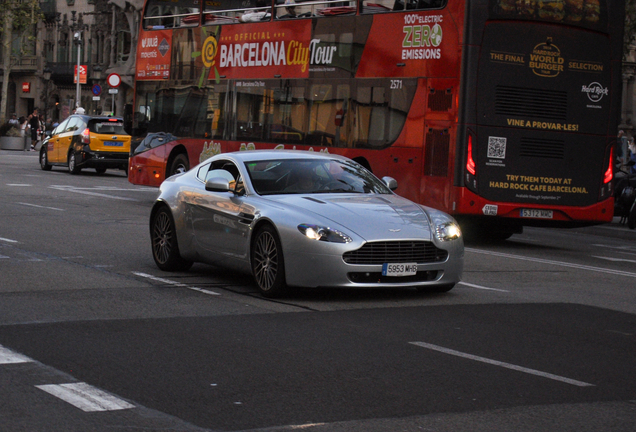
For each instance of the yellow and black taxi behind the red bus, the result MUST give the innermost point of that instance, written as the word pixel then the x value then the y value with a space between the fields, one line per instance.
pixel 83 141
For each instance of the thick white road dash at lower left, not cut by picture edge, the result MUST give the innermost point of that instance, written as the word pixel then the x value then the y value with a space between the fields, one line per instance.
pixel 85 397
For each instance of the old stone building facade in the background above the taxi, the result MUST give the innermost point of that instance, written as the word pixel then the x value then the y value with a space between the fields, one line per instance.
pixel 100 35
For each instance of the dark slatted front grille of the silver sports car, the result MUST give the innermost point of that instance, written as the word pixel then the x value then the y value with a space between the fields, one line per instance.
pixel 373 253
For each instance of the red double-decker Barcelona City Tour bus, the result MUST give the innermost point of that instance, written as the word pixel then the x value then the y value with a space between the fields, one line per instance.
pixel 502 113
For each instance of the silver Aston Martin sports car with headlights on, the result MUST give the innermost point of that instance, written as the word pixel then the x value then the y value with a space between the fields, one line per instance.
pixel 303 219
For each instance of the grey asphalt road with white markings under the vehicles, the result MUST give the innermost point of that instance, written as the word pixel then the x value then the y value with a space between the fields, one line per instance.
pixel 540 335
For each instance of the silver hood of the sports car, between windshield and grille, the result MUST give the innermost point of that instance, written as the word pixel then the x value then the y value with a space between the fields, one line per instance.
pixel 381 217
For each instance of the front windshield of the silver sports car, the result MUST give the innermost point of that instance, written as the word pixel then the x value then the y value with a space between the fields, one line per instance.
pixel 309 176
